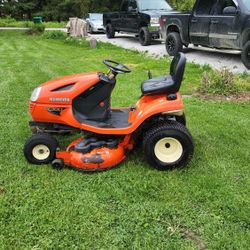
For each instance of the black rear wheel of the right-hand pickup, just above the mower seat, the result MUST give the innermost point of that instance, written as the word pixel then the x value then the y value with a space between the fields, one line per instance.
pixel 174 43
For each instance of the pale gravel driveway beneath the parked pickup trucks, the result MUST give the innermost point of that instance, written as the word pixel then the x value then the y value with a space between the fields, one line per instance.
pixel 215 58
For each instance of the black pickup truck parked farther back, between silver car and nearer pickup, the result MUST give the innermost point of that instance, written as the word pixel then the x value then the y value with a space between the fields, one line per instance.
pixel 140 17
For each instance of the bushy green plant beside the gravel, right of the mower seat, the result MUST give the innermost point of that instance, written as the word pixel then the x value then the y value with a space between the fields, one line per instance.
pixel 218 82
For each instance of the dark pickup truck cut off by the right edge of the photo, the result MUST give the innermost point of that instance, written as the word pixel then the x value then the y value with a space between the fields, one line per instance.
pixel 221 24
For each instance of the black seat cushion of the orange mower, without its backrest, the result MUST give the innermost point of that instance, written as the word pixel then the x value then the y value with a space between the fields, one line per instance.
pixel 159 85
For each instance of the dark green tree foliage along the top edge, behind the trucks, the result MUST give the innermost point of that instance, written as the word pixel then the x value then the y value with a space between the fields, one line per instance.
pixel 57 10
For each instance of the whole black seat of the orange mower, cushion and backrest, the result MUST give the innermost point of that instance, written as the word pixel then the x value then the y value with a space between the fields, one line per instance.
pixel 167 84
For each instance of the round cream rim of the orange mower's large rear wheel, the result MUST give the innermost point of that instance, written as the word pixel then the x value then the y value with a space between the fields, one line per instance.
pixel 168 150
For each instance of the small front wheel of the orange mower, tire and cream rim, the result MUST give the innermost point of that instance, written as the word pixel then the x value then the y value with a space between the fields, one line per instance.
pixel 40 149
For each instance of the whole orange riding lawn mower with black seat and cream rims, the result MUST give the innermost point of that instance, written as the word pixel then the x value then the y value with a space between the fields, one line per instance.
pixel 81 103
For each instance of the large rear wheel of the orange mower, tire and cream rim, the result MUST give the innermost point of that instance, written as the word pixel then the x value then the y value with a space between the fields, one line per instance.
pixel 168 145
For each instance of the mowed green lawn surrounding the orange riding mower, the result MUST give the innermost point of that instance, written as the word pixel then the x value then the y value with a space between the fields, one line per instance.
pixel 133 206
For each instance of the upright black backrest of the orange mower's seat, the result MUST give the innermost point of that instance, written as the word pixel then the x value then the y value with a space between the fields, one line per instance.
pixel 177 70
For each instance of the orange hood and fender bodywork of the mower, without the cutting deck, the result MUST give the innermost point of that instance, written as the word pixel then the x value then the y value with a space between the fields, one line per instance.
pixel 146 107
